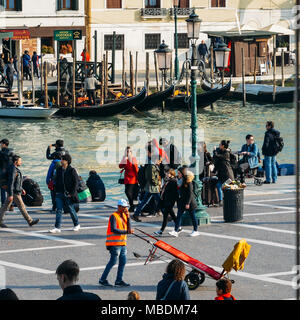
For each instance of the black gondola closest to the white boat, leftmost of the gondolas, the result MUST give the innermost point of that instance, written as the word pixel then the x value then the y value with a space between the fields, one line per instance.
pixel 106 110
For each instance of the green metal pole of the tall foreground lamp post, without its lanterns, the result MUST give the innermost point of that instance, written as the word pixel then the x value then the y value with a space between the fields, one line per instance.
pixel 201 214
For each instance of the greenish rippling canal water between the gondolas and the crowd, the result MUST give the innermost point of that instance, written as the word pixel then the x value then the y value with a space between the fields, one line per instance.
pixel 229 120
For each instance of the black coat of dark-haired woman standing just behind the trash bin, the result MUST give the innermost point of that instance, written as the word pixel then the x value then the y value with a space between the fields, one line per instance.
pixel 222 165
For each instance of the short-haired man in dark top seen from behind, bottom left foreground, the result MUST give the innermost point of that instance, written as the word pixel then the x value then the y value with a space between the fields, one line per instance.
pixel 67 276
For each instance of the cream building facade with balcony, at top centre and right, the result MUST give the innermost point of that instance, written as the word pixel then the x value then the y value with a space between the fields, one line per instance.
pixel 141 25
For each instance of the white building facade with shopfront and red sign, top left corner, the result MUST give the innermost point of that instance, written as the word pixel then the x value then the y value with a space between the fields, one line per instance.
pixel 33 24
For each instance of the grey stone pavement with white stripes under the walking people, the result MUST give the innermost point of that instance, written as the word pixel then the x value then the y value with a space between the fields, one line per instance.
pixel 30 256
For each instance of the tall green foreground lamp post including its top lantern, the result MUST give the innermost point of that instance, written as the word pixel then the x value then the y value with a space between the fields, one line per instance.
pixel 193 28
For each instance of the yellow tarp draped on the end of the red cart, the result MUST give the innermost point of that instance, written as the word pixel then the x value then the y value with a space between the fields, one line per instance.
pixel 237 257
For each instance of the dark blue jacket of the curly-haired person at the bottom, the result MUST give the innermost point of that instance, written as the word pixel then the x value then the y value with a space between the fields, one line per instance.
pixel 179 290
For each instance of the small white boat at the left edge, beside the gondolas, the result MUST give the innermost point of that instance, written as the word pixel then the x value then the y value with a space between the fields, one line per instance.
pixel 27 112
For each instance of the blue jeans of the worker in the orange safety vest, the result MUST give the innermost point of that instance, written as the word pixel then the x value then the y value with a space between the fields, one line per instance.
pixel 116 251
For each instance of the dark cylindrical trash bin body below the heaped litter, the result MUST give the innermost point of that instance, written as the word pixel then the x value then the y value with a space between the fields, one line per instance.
pixel 233 205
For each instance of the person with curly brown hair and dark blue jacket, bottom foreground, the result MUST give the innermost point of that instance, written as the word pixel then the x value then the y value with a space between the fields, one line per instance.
pixel 173 286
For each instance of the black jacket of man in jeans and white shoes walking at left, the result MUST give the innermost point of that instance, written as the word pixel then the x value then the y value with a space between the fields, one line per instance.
pixel 67 182
